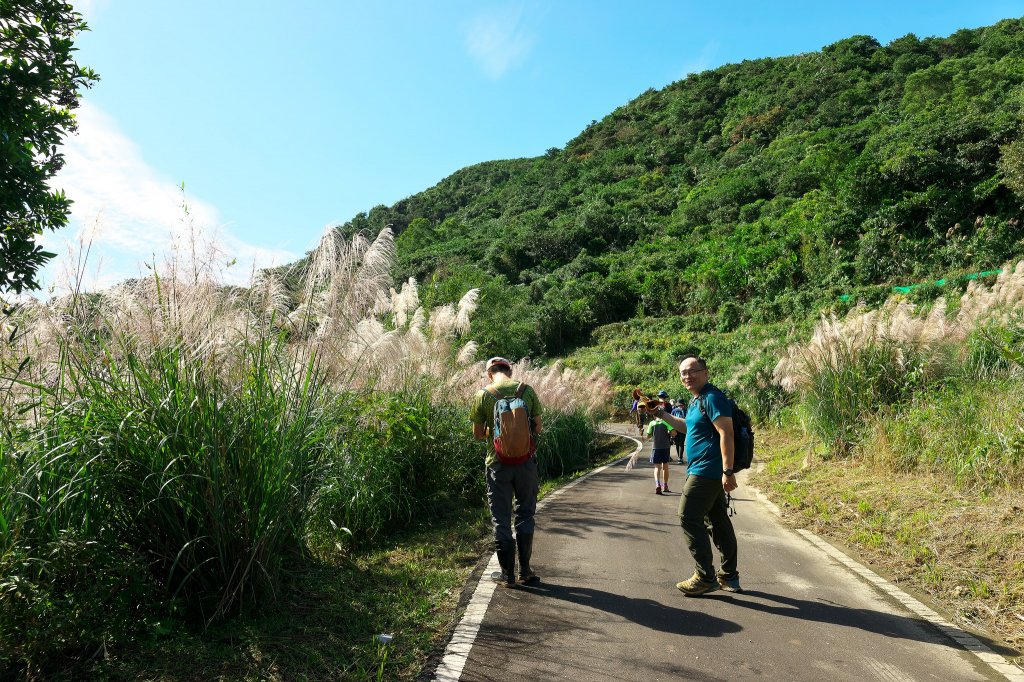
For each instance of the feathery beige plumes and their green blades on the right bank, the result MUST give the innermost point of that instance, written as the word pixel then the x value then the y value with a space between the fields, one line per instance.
pixel 851 369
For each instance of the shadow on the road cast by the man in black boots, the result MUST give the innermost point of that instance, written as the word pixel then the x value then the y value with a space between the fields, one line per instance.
pixel 647 613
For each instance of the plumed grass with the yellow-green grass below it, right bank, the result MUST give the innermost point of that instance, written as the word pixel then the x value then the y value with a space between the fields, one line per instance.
pixel 921 389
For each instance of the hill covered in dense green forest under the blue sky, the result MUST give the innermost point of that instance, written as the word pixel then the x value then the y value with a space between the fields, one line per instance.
pixel 755 192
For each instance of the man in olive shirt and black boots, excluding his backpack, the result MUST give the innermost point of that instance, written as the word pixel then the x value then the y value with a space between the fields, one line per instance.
pixel 508 481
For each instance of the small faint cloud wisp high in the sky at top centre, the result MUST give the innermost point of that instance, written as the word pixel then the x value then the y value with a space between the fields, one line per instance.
pixel 497 39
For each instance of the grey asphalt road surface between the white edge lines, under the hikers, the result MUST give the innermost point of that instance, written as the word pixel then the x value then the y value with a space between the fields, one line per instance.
pixel 610 552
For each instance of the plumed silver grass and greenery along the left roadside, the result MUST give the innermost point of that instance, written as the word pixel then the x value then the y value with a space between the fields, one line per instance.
pixel 179 456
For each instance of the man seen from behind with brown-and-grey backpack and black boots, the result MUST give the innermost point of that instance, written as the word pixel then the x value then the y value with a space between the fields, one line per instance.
pixel 507 413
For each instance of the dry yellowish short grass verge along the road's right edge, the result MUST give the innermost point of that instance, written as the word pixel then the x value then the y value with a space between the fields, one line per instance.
pixel 965 547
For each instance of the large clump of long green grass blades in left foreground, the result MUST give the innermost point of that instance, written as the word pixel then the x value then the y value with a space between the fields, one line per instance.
pixel 160 478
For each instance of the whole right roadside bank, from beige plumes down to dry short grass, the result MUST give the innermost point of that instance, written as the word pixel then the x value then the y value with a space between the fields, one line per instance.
pixel 912 447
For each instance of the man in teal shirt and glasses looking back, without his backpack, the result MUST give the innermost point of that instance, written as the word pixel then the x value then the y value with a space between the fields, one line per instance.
pixel 710 450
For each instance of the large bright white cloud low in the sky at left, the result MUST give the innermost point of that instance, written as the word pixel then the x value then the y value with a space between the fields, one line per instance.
pixel 132 216
